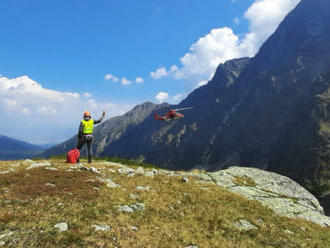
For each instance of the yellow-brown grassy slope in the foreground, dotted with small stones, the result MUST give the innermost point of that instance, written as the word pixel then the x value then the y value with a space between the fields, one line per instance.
pixel 177 214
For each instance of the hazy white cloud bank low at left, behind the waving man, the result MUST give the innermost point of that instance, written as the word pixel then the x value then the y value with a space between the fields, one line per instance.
pixel 52 115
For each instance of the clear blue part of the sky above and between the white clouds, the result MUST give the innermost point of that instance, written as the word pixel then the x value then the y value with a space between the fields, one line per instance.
pixel 72 45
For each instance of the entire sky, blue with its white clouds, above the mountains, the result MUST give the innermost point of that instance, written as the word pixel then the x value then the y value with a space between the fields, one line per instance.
pixel 67 50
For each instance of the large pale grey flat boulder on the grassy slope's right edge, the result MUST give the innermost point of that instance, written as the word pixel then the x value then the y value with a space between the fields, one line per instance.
pixel 283 195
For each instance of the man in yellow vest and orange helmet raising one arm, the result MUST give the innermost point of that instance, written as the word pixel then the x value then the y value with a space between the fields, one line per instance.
pixel 85 134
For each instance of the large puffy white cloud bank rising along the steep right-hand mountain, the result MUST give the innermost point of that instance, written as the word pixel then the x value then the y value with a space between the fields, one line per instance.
pixel 222 44
